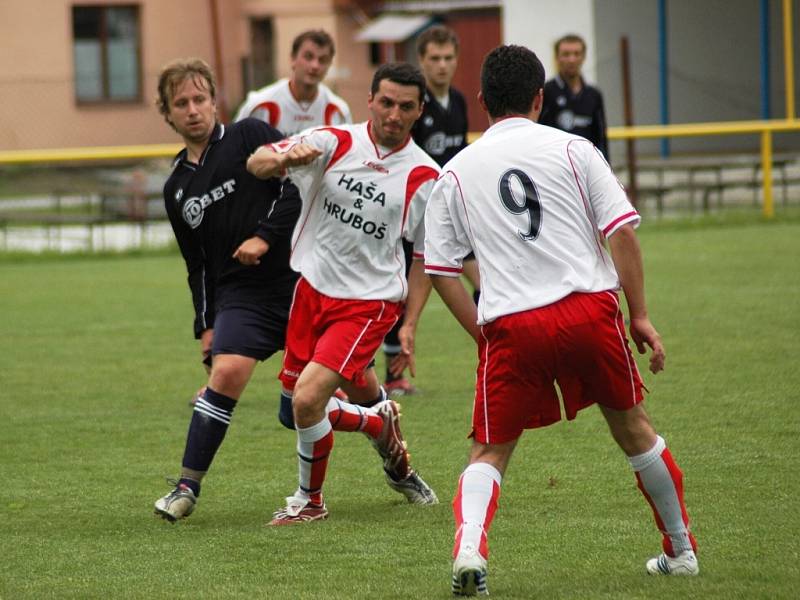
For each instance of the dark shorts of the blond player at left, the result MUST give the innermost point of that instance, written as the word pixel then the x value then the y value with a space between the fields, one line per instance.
pixel 257 331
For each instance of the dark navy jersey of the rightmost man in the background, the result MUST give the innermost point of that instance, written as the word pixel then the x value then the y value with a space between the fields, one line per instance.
pixel 582 113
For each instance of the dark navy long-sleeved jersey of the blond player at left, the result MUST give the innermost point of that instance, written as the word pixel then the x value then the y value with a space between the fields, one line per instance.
pixel 215 205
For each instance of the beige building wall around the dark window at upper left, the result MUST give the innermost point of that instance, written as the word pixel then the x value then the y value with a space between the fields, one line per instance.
pixel 39 109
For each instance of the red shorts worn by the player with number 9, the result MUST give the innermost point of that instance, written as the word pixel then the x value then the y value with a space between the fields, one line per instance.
pixel 578 342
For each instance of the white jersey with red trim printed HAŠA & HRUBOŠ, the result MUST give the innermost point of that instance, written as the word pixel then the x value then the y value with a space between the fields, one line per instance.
pixel 359 201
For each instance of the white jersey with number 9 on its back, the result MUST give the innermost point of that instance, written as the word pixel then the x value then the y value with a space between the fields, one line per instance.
pixel 535 204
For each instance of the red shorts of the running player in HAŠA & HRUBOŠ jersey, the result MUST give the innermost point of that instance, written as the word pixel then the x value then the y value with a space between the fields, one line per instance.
pixel 343 335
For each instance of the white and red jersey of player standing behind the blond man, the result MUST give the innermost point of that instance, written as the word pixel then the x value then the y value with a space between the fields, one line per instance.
pixel 276 105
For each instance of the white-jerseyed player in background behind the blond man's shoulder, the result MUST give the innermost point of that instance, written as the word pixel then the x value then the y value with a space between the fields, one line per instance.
pixel 302 101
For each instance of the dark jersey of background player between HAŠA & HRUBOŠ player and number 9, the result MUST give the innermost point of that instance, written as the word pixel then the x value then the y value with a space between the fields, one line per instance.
pixel 442 132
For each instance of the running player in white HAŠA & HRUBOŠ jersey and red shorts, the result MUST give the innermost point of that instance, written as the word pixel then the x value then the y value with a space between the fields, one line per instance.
pixel 364 189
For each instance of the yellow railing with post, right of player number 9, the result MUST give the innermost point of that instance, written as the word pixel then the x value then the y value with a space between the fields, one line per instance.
pixel 764 128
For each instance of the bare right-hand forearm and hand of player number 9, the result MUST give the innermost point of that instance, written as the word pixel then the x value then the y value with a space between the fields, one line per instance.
pixel 627 256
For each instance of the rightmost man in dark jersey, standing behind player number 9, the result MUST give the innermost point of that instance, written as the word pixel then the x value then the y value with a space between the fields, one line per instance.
pixel 570 104
